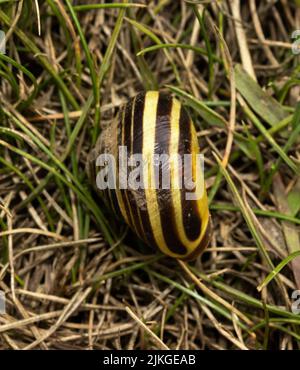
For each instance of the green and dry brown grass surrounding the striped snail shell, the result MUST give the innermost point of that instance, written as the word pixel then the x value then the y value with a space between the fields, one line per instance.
pixel 73 274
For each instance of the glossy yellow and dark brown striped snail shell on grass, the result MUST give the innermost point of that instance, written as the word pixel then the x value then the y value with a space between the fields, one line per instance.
pixel 172 212
